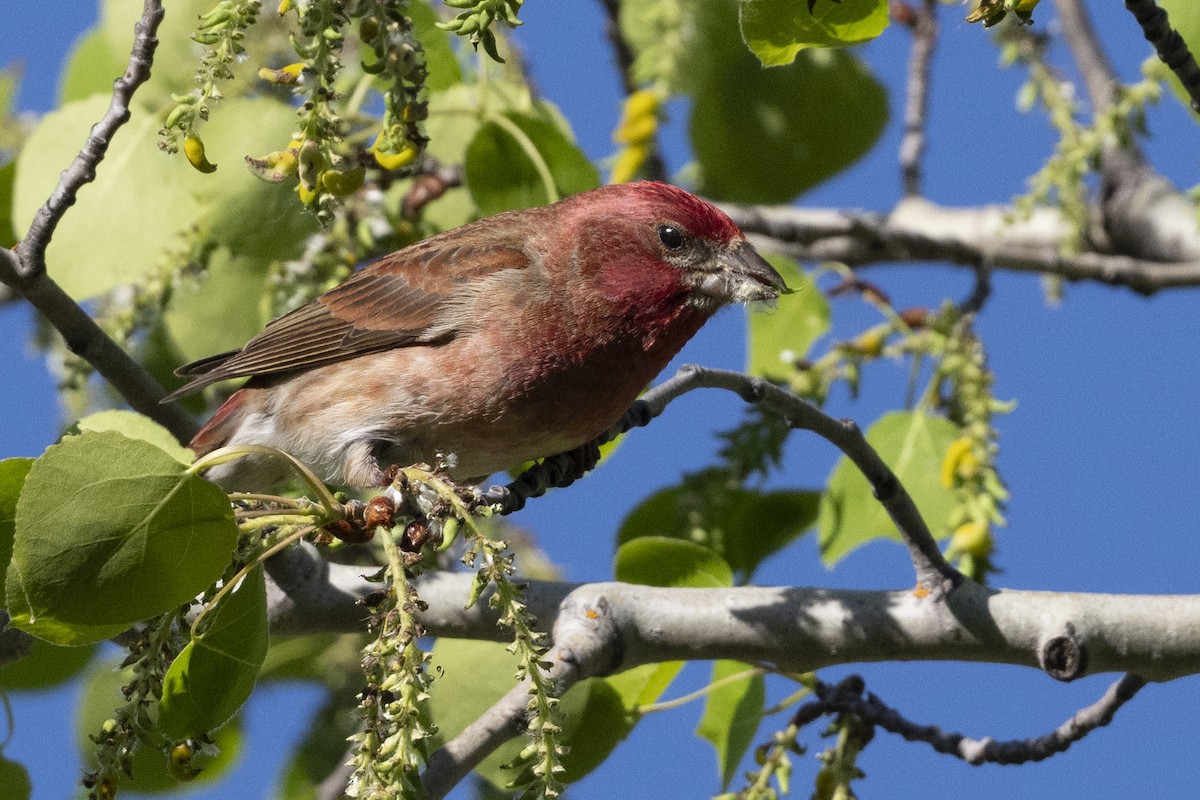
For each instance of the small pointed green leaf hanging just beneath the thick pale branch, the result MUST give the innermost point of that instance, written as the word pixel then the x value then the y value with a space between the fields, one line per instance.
pixel 733 714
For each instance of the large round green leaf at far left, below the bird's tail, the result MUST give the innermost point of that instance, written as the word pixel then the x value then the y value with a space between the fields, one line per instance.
pixel 110 532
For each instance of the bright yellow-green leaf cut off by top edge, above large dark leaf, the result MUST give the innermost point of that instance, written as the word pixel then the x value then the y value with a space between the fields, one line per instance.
pixel 776 31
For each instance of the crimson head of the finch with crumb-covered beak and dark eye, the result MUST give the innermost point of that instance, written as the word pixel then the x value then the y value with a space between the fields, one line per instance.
pixel 675 242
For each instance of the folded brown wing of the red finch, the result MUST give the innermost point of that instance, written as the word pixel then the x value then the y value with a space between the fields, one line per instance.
pixel 403 300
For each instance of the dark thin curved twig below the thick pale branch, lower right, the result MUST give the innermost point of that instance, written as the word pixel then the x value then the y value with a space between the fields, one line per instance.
pixel 847 696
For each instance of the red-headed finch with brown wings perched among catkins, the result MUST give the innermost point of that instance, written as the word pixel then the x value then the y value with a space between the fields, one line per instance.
pixel 511 339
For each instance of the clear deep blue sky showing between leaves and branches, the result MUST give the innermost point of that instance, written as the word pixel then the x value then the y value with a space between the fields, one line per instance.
pixel 1100 454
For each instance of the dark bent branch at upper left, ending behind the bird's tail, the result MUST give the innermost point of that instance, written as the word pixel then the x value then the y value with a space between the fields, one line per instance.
pixel 23 269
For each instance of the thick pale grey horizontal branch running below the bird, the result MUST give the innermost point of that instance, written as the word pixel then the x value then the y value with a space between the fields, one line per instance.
pixel 800 629
